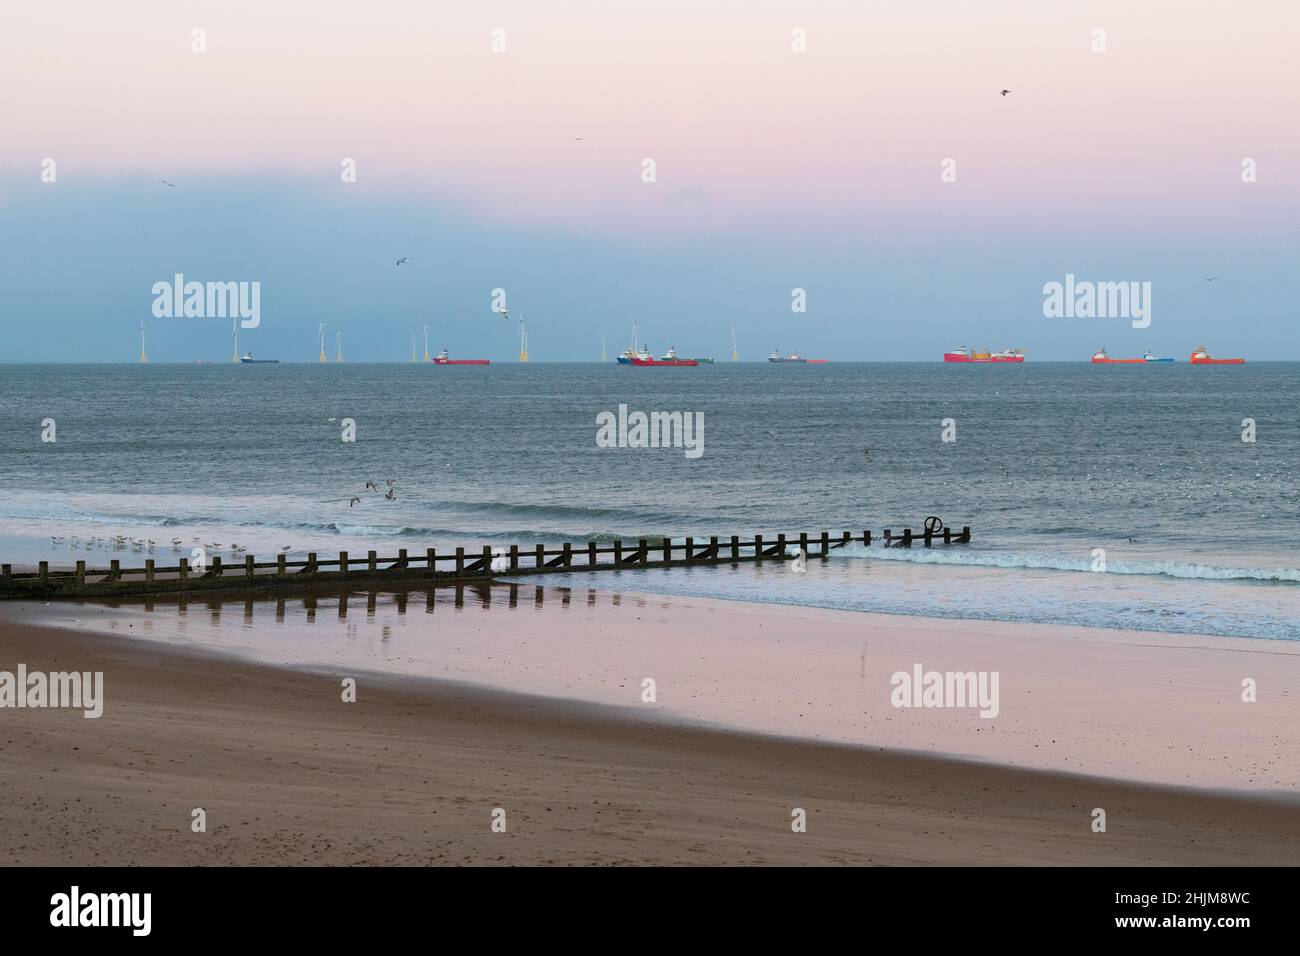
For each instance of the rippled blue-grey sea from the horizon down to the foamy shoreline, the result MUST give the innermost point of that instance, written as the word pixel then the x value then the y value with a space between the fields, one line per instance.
pixel 1100 496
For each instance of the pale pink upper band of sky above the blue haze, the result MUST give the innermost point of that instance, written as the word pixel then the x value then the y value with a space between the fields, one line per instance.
pixel 739 126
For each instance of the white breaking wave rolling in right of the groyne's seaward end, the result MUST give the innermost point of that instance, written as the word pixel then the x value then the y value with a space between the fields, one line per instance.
pixel 1069 563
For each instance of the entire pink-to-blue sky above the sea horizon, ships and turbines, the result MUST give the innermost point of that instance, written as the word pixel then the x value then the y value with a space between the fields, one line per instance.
pixel 796 146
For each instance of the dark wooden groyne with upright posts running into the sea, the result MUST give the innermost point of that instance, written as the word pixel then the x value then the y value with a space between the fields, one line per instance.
pixel 415 569
